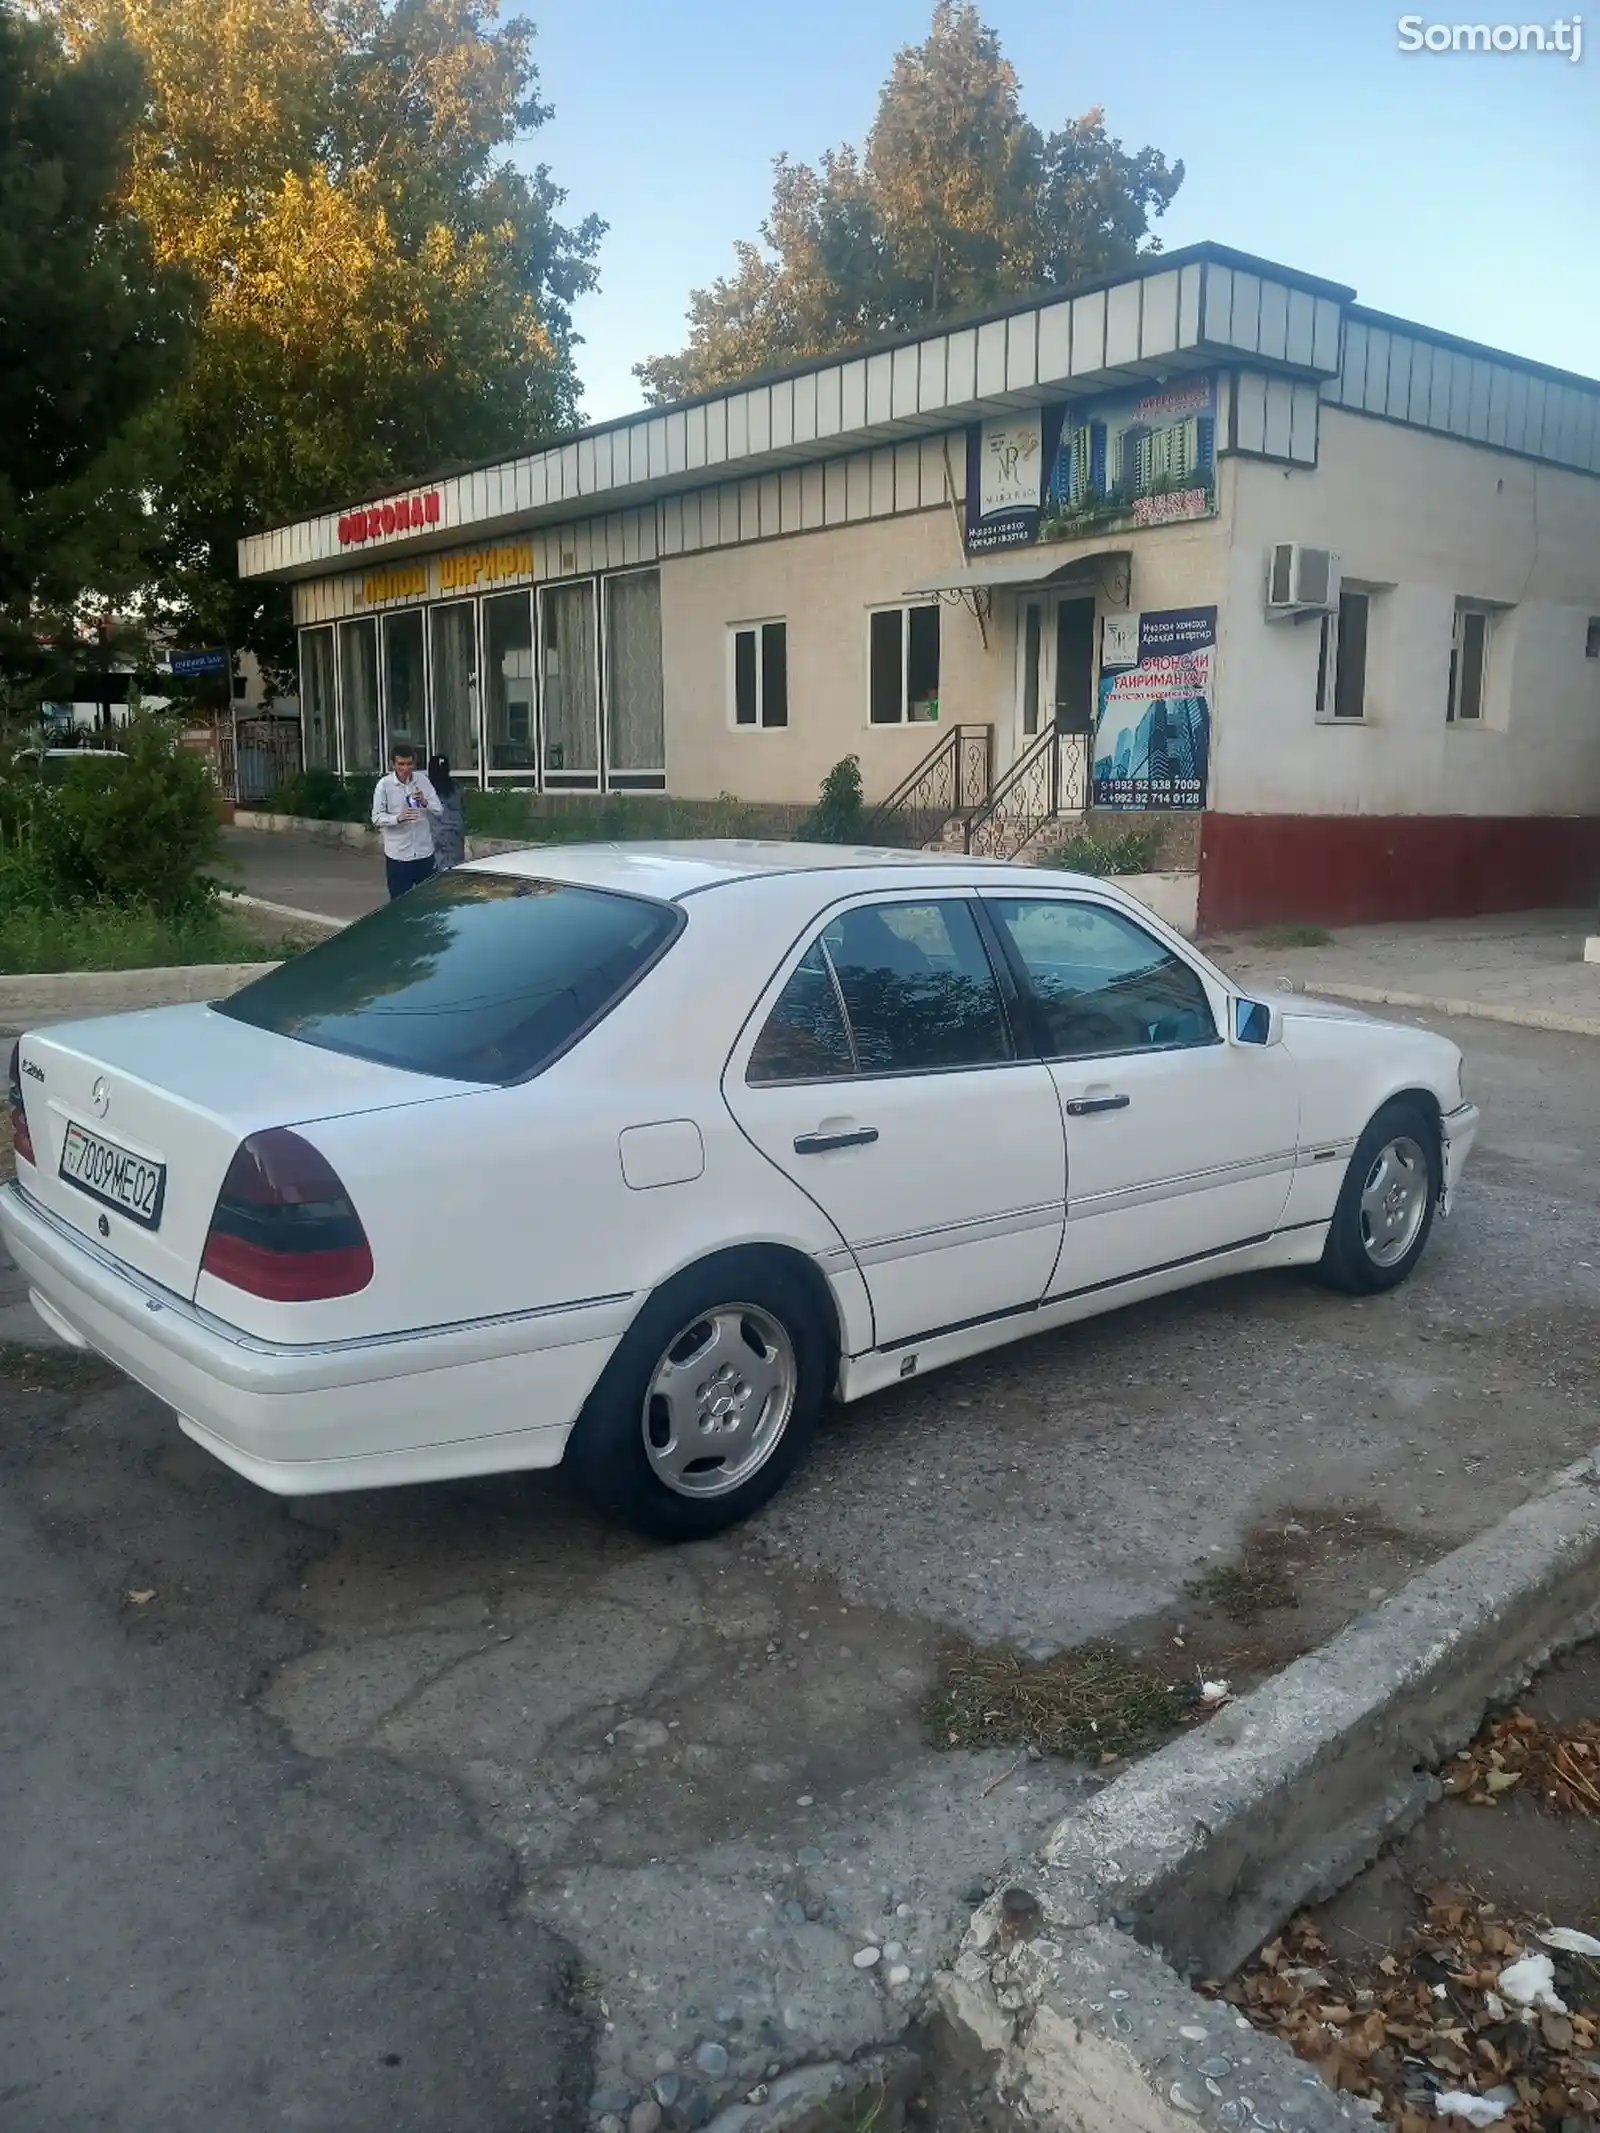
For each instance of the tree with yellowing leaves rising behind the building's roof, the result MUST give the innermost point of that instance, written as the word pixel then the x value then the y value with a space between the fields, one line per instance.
pixel 955 204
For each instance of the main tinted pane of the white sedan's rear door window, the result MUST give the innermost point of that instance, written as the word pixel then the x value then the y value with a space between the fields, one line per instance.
pixel 918 989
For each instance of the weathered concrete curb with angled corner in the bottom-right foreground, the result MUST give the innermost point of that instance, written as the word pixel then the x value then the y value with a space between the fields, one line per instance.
pixel 1209 1846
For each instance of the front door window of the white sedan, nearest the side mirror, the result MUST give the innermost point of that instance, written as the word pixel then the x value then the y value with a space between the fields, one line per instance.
pixel 1102 982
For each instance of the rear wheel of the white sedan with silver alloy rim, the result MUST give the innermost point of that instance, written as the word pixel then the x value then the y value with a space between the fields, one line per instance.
pixel 709 1402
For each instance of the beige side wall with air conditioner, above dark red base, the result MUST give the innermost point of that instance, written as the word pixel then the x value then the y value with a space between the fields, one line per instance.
pixel 1422 522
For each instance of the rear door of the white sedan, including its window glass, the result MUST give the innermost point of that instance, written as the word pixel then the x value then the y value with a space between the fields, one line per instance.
pixel 884 1078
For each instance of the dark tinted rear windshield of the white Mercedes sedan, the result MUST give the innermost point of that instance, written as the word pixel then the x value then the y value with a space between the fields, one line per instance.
pixel 477 978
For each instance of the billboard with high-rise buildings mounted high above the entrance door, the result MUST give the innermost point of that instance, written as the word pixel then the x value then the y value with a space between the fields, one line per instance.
pixel 1117 464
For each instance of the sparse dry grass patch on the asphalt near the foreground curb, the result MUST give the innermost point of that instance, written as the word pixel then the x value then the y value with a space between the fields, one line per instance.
pixel 1089 1703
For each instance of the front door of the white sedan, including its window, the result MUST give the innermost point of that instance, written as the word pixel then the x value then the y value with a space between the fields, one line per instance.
pixel 1179 1142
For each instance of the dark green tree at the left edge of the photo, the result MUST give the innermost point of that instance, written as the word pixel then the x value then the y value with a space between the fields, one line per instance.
pixel 91 334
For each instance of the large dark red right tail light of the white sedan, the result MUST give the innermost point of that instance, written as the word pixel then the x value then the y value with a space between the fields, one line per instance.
pixel 285 1225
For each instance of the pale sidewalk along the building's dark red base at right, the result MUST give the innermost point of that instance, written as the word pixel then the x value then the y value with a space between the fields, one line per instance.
pixel 1511 967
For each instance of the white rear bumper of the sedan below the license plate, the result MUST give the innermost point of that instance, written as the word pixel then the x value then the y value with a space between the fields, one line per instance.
pixel 479 1398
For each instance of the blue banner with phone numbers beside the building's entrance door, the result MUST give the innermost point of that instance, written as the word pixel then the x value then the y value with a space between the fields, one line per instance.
pixel 1153 731
